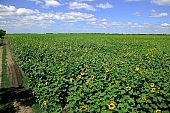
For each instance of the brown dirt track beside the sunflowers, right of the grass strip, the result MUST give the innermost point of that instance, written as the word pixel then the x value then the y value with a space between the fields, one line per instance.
pixel 20 95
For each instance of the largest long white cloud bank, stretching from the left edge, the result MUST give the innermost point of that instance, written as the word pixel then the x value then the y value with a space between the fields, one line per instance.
pixel 12 17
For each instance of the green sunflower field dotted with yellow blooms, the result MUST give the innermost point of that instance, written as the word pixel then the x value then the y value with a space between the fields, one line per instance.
pixel 96 73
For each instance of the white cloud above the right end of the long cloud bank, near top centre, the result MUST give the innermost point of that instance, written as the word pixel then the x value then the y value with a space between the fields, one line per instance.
pixel 78 5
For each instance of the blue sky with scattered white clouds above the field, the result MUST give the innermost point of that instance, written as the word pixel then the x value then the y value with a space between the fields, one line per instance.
pixel 85 16
